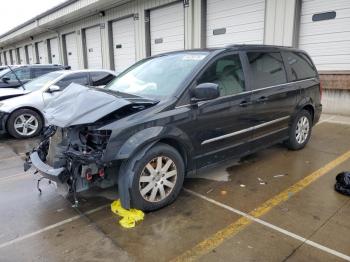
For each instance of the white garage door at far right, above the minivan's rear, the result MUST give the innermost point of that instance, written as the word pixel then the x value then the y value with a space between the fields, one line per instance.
pixel 324 33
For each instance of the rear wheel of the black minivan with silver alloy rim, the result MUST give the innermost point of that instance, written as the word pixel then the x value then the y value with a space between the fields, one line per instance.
pixel 300 131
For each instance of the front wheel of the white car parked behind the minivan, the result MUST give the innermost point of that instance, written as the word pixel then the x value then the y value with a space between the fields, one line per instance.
pixel 24 123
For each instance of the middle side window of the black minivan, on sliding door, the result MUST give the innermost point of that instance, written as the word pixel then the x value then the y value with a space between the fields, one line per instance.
pixel 267 69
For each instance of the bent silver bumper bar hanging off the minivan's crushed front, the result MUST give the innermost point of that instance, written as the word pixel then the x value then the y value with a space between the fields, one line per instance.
pixel 55 174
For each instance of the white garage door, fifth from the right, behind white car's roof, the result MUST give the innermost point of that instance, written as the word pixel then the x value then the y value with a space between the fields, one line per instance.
pixel 93 47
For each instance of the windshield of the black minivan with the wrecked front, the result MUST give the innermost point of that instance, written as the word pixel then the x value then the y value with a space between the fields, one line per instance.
pixel 158 77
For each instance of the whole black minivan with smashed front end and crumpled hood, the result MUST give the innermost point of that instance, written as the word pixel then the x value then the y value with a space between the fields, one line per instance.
pixel 175 114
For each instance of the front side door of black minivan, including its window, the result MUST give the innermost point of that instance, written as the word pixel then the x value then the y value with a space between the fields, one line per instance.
pixel 222 125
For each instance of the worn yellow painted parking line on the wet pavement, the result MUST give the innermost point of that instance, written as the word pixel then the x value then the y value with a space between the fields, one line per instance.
pixel 219 237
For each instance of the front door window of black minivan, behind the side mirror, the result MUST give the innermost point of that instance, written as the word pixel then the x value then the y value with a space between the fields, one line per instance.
pixel 227 72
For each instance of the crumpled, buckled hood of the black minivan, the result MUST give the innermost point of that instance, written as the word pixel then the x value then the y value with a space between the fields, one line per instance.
pixel 78 105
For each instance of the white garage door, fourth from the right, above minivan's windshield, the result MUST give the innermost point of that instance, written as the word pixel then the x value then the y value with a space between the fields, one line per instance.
pixel 123 44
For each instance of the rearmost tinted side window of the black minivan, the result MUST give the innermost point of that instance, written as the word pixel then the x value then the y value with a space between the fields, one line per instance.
pixel 300 65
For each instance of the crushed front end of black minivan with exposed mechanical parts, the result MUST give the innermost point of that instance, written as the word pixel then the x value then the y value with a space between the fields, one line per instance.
pixel 72 157
